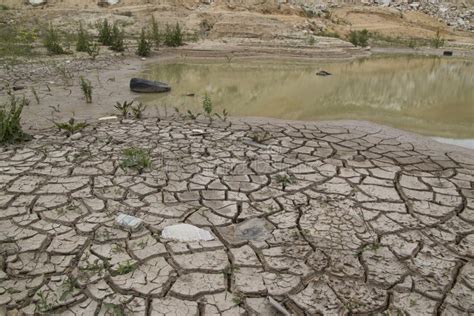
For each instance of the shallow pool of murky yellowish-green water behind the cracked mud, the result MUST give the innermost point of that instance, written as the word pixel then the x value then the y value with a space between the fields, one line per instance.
pixel 431 96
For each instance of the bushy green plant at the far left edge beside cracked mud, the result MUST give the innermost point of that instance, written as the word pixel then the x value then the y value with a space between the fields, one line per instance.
pixel 10 121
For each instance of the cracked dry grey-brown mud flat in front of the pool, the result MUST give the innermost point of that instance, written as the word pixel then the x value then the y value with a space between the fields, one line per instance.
pixel 373 221
